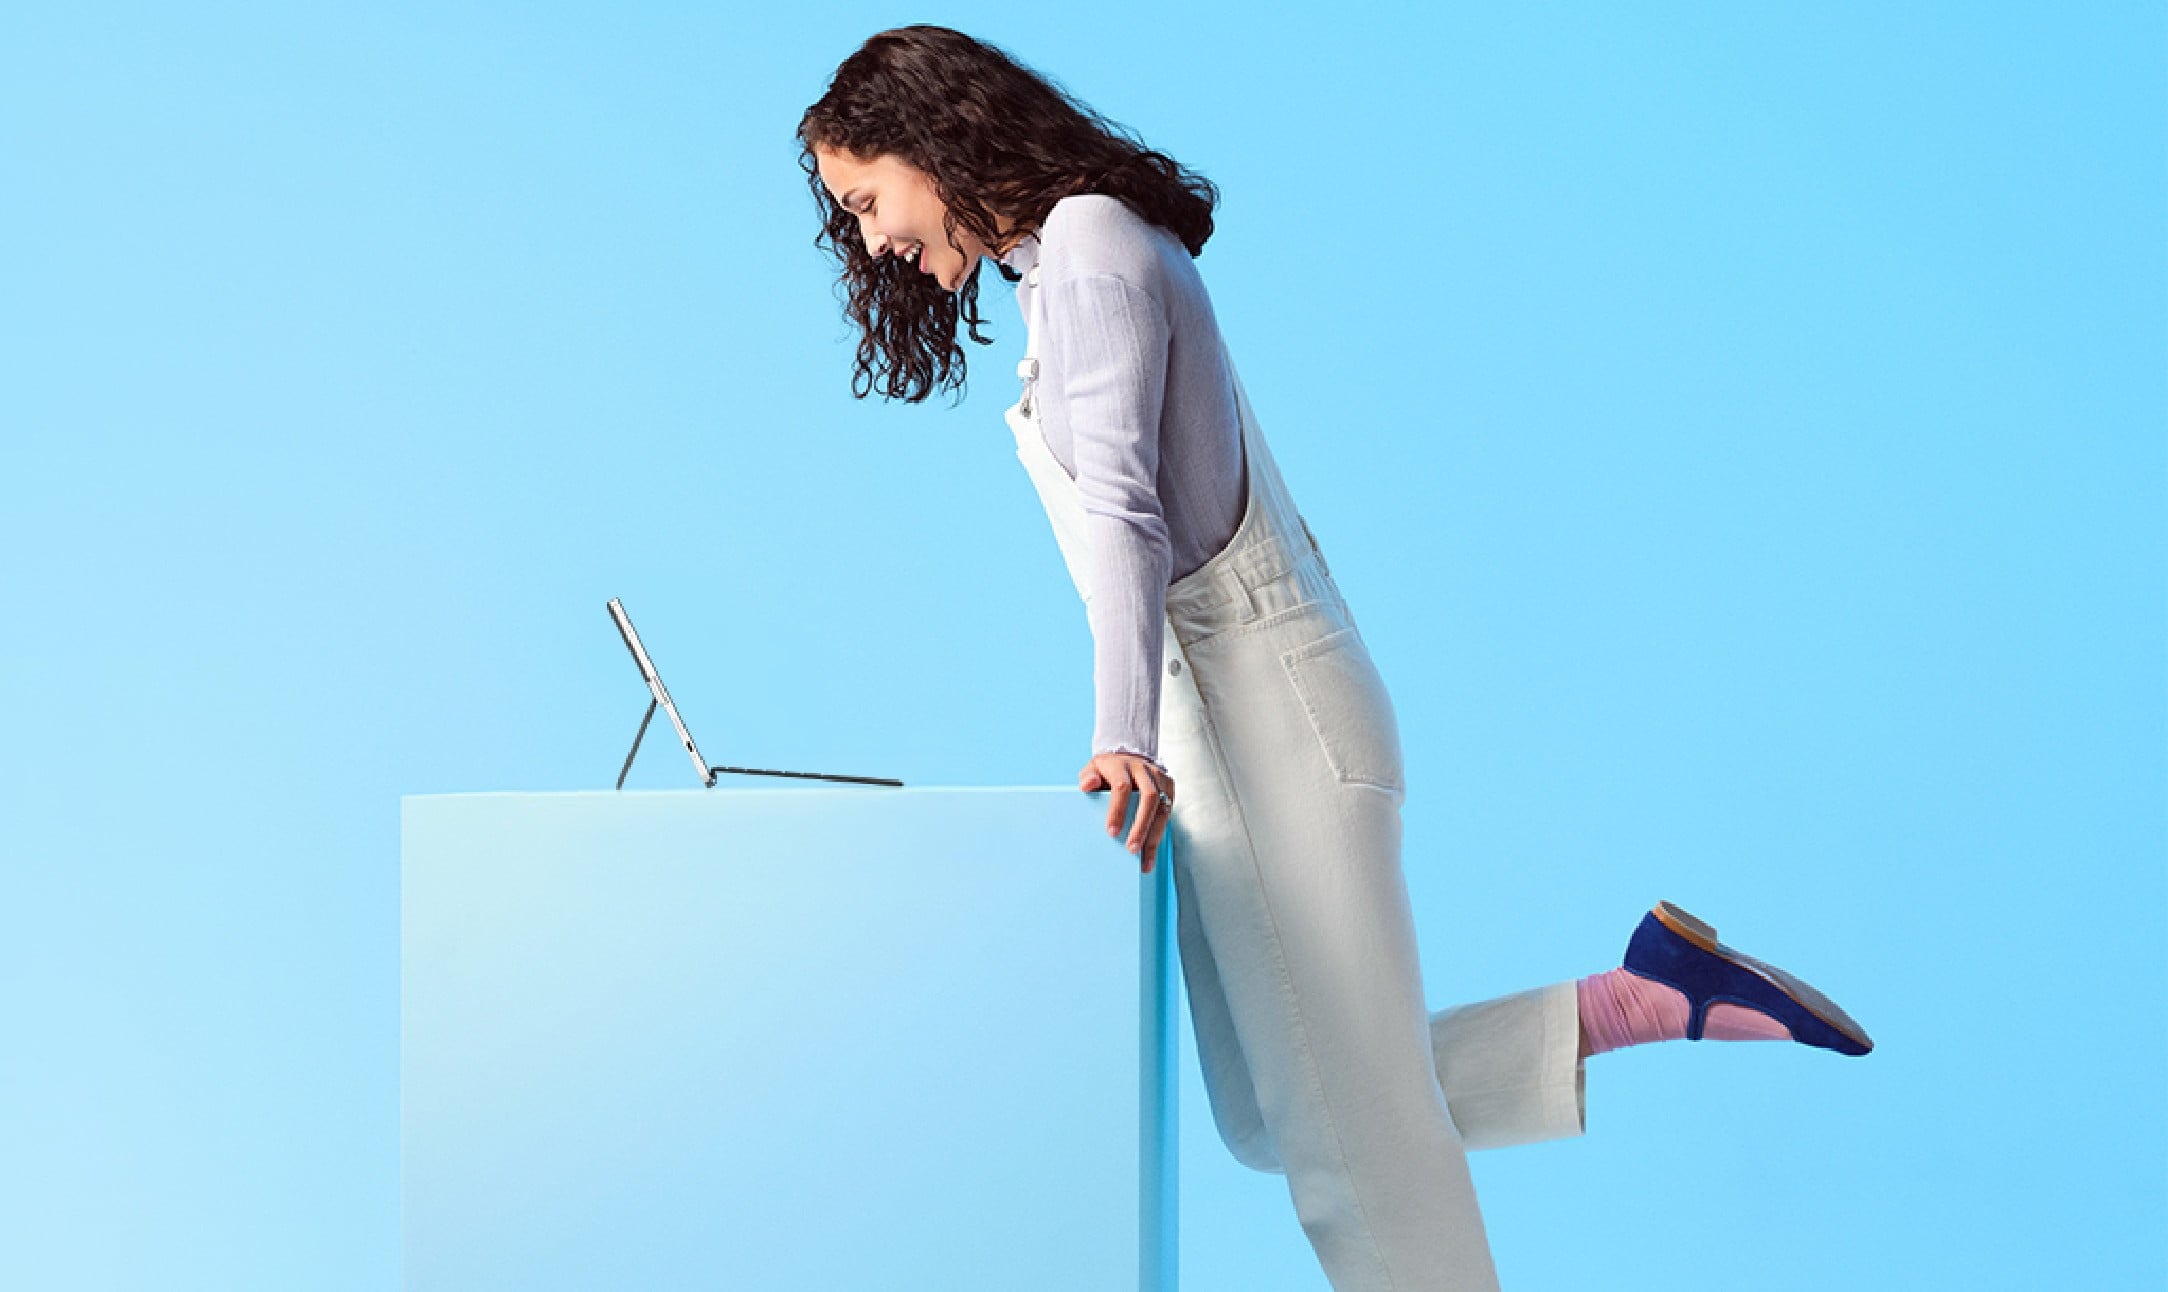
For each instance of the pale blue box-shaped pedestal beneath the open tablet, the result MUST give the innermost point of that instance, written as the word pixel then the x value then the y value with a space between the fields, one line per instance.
pixel 784 1039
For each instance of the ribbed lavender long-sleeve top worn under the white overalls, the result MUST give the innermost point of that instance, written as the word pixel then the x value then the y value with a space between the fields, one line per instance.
pixel 1137 404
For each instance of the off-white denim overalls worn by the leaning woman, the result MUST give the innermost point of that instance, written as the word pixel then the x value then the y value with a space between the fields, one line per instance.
pixel 1293 920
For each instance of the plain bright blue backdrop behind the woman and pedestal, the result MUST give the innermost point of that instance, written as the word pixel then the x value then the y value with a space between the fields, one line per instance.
pixel 1740 435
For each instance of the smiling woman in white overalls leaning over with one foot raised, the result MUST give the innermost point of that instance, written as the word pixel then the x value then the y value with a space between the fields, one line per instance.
pixel 1228 664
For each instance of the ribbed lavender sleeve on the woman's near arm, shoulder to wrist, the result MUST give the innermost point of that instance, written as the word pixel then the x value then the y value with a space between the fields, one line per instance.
pixel 1109 346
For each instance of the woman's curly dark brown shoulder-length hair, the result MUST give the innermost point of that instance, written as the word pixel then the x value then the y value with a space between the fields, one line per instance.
pixel 992 135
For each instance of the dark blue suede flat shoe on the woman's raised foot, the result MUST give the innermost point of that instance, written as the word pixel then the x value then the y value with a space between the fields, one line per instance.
pixel 1679 951
